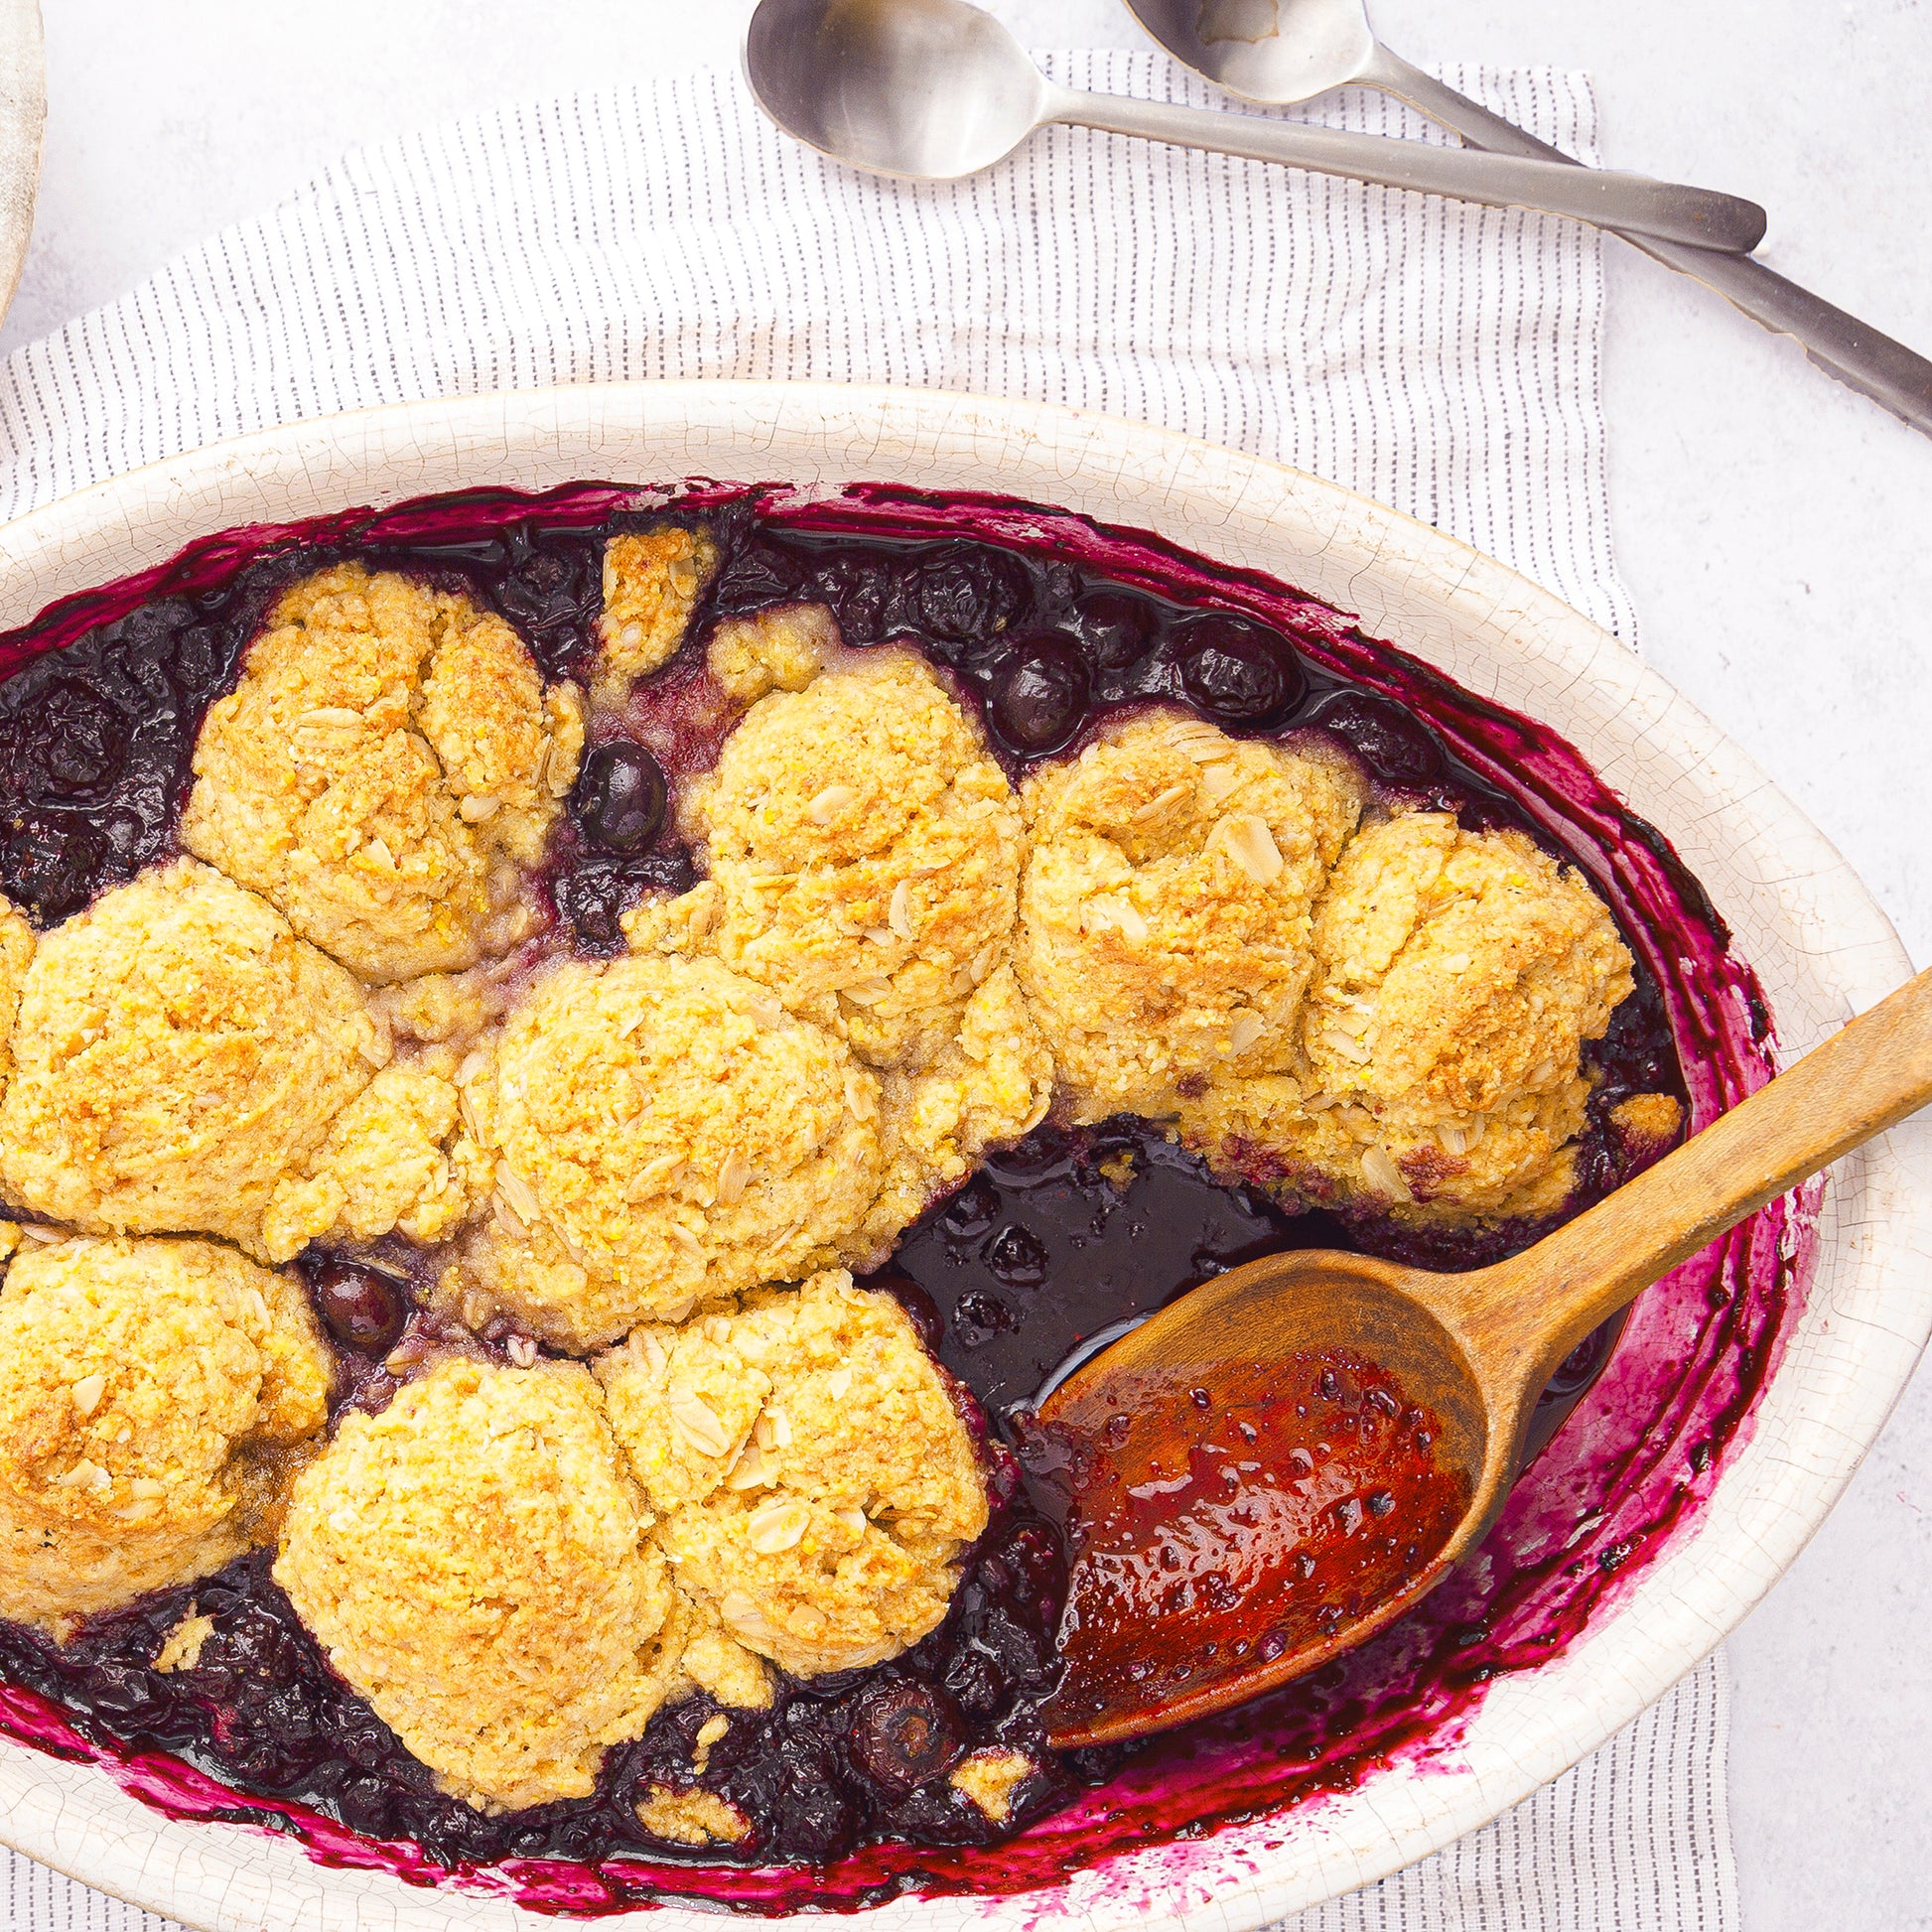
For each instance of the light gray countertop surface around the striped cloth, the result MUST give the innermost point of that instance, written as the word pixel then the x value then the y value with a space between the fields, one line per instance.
pixel 1775 530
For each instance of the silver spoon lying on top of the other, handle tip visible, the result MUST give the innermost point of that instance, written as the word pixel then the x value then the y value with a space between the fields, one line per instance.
pixel 936 90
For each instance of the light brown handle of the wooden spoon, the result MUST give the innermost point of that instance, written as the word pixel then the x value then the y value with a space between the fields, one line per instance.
pixel 1531 1313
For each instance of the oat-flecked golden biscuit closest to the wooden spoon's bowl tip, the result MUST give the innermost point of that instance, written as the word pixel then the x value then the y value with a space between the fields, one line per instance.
pixel 812 1475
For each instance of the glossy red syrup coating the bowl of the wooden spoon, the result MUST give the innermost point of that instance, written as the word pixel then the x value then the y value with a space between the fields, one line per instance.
pixel 1218 1520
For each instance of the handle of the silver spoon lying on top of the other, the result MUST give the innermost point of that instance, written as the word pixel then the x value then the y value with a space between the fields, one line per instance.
pixel 1626 202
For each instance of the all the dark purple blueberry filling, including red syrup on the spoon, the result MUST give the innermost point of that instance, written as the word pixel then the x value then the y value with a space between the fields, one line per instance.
pixel 1050 627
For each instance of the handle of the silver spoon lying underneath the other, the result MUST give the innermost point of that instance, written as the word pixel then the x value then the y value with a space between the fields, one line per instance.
pixel 1860 356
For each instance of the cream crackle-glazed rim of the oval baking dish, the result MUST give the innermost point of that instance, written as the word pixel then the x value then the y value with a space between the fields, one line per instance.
pixel 1436 598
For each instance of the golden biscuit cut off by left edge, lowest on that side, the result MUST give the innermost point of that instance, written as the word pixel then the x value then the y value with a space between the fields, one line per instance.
pixel 146 1388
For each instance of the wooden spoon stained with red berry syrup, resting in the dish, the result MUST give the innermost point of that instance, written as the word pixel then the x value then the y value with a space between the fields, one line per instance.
pixel 1471 1351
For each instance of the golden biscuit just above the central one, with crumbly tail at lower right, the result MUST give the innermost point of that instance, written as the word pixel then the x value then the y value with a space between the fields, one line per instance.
pixel 878 905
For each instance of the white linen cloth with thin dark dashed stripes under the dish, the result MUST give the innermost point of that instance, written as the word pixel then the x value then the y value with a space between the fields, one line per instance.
pixel 1433 355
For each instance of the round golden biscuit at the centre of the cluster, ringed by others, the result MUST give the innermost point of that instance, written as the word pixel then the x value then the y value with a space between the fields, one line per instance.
pixel 658 1131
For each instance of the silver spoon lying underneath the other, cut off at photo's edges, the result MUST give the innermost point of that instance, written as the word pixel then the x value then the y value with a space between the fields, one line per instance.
pixel 1286 51
